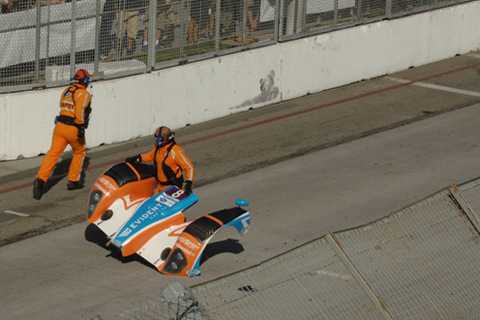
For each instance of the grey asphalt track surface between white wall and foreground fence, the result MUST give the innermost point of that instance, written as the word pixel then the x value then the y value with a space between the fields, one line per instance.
pixel 325 162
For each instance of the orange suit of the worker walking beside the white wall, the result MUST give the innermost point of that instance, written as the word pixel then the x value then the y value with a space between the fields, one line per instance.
pixel 73 103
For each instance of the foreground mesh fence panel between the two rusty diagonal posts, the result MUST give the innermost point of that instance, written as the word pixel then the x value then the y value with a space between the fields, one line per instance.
pixel 421 262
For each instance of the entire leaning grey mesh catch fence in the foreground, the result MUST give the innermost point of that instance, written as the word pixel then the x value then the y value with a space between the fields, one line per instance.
pixel 418 263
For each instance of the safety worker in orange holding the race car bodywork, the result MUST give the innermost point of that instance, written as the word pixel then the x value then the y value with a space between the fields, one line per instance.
pixel 170 162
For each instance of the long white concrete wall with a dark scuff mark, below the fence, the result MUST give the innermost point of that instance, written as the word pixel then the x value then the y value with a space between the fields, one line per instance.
pixel 130 107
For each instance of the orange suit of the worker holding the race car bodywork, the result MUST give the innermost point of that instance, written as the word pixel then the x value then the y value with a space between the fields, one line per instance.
pixel 176 159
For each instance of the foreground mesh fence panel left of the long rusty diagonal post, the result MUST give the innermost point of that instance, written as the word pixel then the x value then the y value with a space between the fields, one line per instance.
pixel 310 282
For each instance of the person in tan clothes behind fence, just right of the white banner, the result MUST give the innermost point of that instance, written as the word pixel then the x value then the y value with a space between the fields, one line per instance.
pixel 127 21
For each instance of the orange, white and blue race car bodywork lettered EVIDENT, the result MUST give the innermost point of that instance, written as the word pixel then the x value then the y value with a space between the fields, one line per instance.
pixel 122 206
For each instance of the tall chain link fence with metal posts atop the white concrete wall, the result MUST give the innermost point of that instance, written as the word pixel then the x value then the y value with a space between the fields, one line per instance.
pixel 43 42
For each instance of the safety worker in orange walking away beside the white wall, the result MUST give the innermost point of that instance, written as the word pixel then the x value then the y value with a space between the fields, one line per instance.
pixel 70 127
